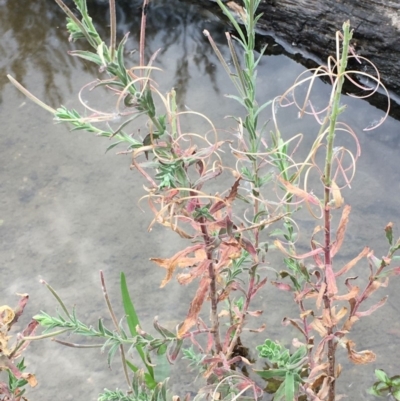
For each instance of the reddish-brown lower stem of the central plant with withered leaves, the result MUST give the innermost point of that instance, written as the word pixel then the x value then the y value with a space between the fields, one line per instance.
pixel 213 286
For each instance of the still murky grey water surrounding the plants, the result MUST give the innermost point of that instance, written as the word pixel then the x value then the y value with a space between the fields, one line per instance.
pixel 68 210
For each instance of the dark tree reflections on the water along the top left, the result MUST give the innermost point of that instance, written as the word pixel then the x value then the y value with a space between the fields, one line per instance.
pixel 35 36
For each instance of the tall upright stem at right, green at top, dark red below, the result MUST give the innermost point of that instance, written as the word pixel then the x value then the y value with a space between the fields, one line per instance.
pixel 334 112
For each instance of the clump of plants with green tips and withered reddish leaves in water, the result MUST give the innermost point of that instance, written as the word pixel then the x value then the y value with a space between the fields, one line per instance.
pixel 234 212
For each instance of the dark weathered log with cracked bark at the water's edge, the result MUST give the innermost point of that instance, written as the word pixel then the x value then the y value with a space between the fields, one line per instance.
pixel 311 25
